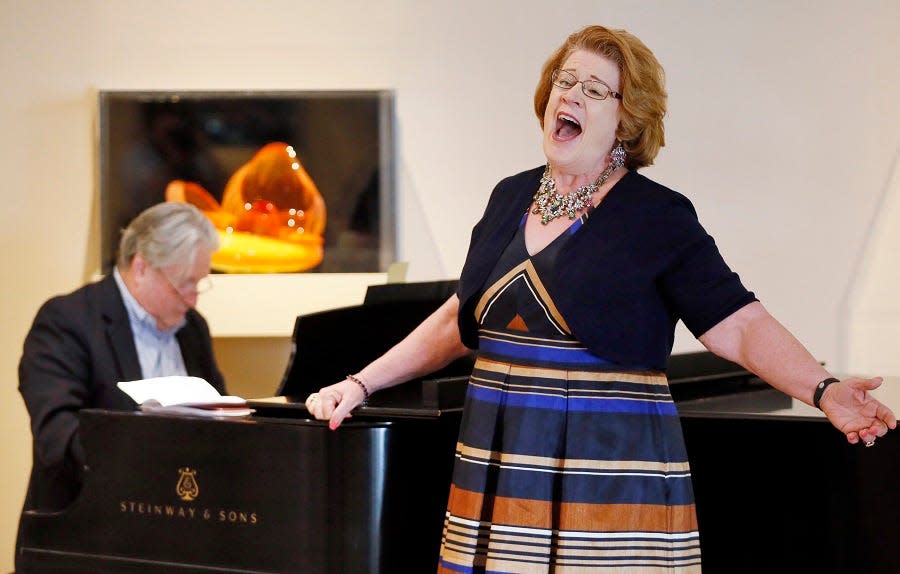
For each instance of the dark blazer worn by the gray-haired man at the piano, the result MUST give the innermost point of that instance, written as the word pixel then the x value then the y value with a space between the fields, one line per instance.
pixel 79 346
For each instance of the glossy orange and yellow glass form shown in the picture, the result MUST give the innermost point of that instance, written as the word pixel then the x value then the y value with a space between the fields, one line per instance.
pixel 272 216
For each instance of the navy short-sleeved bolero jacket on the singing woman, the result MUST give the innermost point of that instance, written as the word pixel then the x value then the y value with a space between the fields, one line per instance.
pixel 640 263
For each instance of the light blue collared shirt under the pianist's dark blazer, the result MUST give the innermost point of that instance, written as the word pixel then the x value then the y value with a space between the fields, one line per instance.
pixel 158 351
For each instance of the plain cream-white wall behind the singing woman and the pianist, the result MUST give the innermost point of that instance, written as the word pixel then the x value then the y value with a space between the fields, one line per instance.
pixel 783 129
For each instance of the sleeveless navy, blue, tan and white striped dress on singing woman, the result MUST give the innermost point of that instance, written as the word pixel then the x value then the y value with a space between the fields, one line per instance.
pixel 565 462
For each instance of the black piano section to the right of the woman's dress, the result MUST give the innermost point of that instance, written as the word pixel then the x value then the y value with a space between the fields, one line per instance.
pixel 779 489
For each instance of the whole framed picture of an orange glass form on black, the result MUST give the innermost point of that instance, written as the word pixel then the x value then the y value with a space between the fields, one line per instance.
pixel 234 155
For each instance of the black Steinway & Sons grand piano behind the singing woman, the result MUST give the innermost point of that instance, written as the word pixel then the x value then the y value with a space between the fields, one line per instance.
pixel 777 488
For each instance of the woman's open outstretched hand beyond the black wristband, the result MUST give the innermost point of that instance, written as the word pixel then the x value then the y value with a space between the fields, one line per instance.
pixel 855 412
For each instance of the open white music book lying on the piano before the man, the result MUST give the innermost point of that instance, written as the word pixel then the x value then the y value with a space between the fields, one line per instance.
pixel 183 394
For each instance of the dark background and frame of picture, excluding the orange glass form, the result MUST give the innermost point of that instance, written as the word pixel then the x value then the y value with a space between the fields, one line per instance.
pixel 343 139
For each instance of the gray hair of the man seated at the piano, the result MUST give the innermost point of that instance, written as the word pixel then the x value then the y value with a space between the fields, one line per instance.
pixel 168 233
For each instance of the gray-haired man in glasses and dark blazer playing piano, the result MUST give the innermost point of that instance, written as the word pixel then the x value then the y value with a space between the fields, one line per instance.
pixel 137 322
